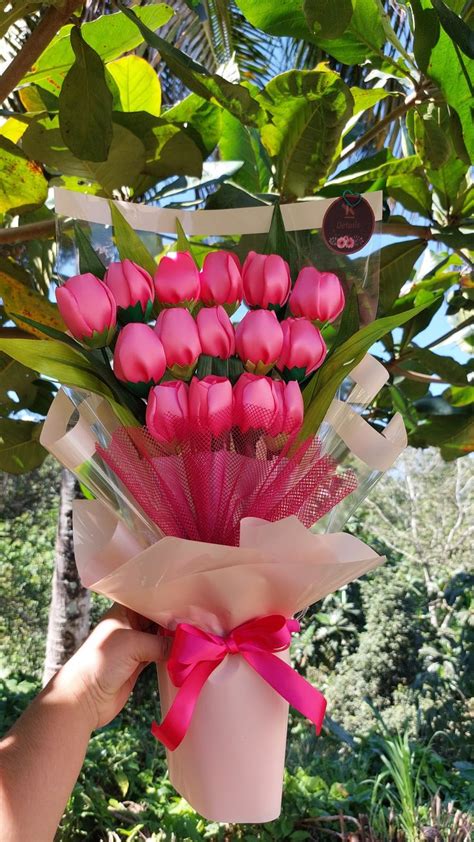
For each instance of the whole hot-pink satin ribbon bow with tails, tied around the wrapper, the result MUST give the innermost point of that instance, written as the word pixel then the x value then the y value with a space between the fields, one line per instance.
pixel 195 654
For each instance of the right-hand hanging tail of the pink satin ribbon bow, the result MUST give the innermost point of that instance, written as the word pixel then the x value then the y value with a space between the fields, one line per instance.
pixel 289 684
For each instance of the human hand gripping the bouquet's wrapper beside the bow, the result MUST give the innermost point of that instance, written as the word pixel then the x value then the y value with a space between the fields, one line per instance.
pixel 101 675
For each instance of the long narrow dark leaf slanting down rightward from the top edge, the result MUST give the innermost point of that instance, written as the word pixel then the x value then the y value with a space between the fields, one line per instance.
pixel 235 98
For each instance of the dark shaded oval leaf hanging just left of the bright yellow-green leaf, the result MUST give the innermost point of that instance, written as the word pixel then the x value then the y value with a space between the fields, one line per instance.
pixel 86 130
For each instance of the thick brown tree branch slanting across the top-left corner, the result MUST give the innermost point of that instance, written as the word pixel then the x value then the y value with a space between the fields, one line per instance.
pixel 39 39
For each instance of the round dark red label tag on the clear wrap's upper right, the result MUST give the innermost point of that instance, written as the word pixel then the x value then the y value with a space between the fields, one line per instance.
pixel 348 224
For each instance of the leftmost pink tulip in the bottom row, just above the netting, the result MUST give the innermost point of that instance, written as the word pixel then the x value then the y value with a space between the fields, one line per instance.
pixel 167 411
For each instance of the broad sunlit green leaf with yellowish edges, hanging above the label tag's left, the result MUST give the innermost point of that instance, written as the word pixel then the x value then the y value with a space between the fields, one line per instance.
pixel 309 109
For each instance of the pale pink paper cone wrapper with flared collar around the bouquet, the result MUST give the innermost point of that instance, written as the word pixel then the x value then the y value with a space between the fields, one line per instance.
pixel 230 764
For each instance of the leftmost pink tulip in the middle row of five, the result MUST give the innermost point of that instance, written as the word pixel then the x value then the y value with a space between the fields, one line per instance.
pixel 139 358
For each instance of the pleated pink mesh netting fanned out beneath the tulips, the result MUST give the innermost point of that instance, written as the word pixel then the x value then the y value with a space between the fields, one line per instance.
pixel 201 488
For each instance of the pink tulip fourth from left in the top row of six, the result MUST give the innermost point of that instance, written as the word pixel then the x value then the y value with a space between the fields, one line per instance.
pixel 221 279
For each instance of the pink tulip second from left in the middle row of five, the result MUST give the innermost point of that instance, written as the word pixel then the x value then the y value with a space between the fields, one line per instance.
pixel 179 334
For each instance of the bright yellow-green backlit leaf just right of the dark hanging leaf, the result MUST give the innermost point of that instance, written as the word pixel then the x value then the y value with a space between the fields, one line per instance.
pixel 135 85
